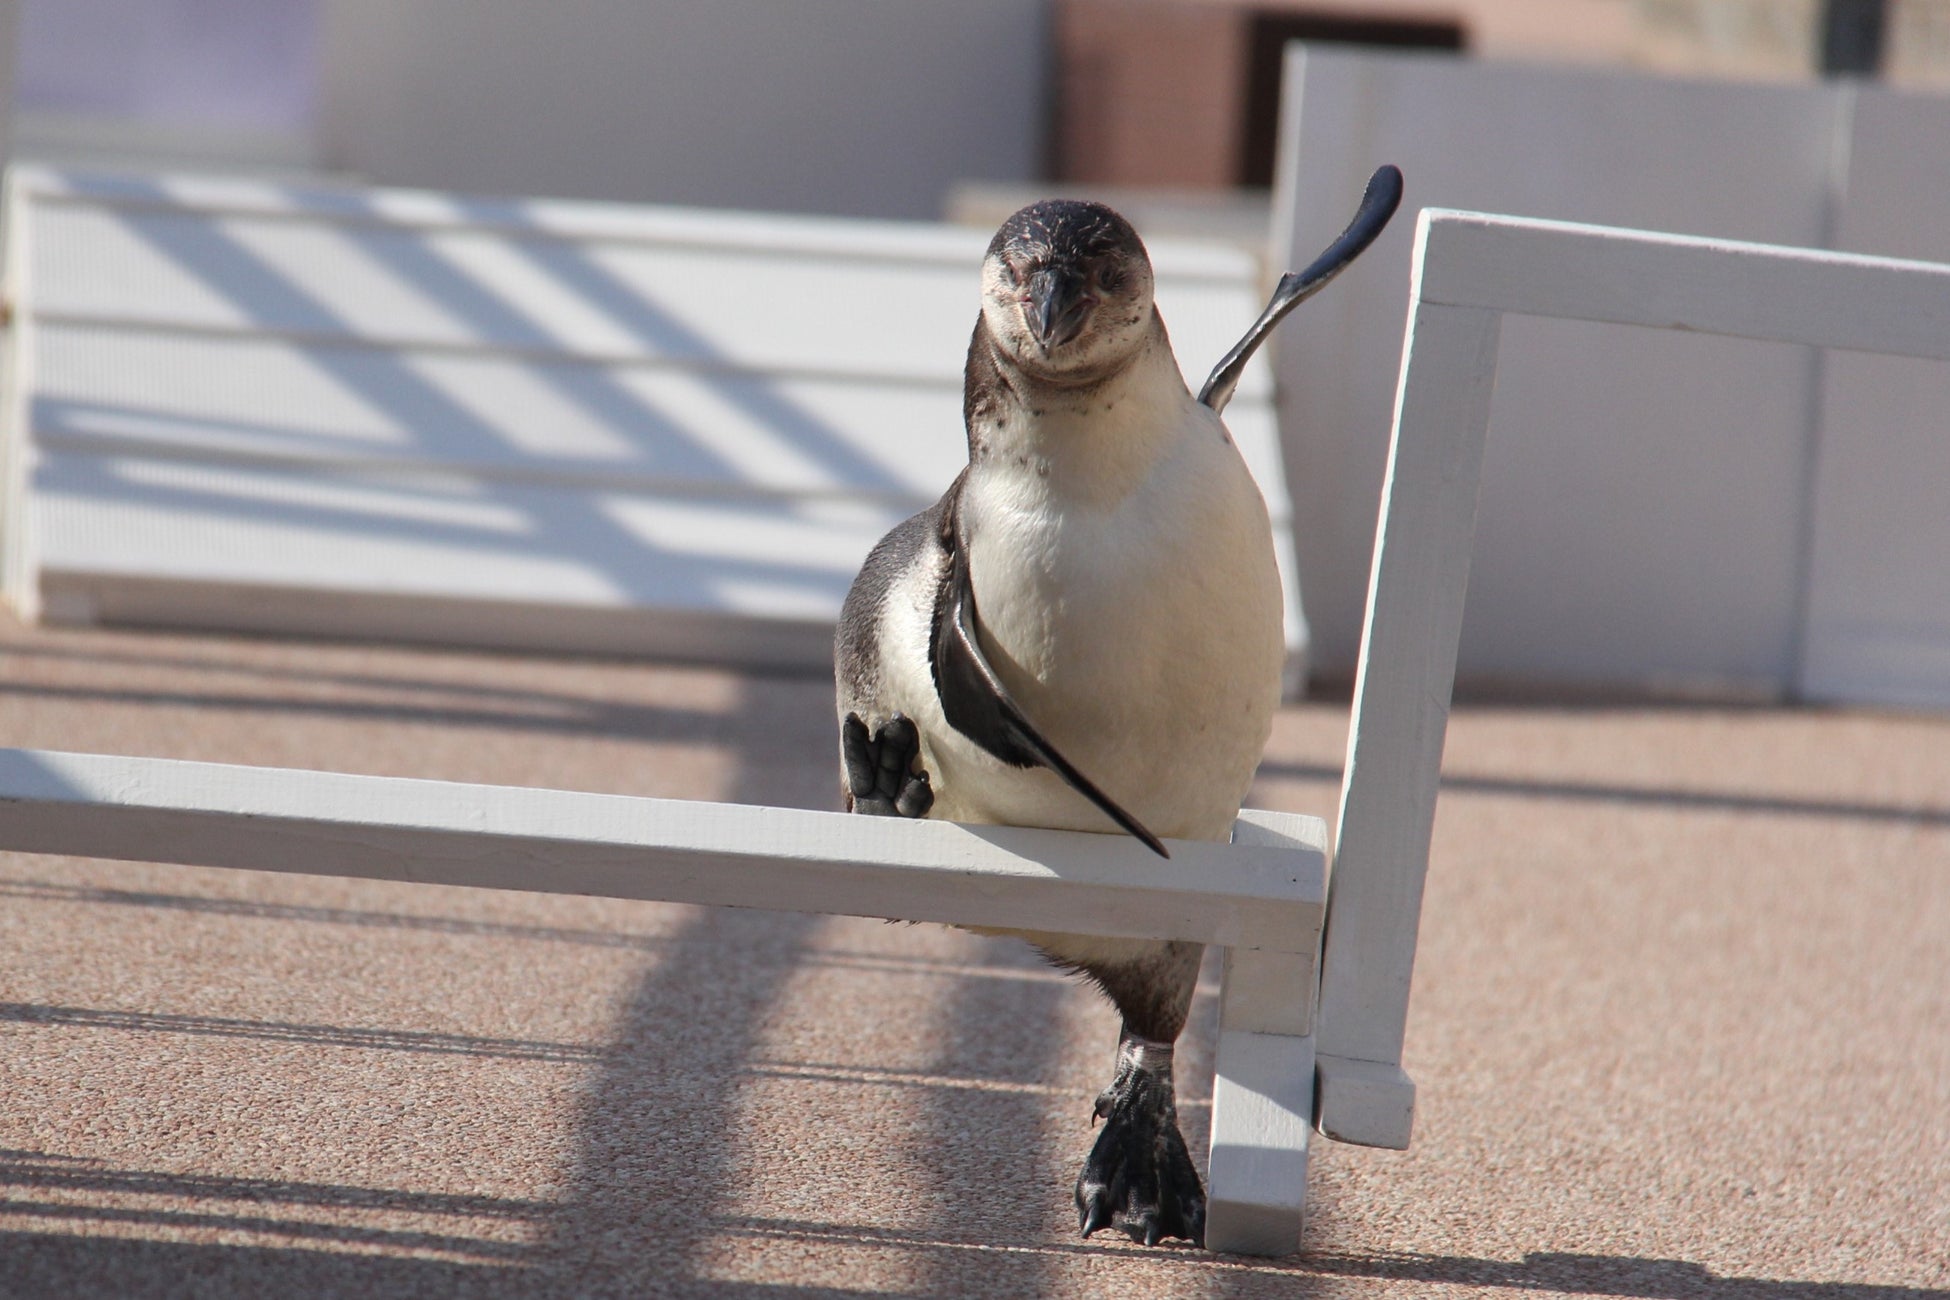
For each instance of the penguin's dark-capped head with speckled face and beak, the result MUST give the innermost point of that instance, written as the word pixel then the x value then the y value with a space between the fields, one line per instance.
pixel 1068 289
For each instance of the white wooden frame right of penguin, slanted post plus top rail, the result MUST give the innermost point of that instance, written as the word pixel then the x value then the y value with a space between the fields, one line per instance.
pixel 1471 272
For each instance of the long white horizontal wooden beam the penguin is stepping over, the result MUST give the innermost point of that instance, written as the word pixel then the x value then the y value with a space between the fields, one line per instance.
pixel 494 837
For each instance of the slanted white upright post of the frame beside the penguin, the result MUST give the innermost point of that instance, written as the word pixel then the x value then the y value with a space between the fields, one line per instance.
pixel 1401 712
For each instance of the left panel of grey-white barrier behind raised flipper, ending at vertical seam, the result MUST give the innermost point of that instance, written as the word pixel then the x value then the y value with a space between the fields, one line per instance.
pixel 1643 506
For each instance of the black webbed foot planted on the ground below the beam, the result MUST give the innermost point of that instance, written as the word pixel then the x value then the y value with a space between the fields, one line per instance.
pixel 1140 1174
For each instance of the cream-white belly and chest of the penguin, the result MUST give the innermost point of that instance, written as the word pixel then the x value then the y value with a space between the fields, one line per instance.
pixel 1144 638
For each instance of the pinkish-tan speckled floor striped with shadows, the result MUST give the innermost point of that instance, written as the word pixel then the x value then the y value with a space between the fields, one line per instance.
pixel 1682 1020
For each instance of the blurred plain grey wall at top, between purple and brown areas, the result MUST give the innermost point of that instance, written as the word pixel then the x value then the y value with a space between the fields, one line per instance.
pixel 826 106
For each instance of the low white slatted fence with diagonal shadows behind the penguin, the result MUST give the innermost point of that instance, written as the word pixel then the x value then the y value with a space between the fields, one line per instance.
pixel 510 424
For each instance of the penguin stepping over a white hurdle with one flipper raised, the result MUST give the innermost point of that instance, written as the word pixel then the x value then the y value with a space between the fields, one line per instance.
pixel 1087 631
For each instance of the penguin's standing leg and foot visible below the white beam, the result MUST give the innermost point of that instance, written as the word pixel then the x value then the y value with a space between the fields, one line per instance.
pixel 1140 1174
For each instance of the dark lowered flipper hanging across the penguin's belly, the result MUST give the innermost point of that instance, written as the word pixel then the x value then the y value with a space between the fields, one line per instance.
pixel 976 703
